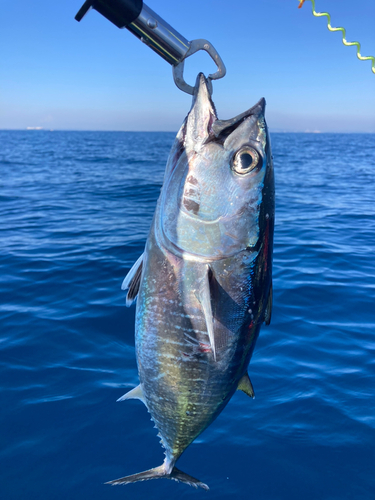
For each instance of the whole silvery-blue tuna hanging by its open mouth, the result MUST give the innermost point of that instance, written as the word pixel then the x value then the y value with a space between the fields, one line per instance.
pixel 203 285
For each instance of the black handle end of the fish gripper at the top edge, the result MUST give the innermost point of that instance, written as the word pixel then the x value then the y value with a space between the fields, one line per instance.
pixel 120 12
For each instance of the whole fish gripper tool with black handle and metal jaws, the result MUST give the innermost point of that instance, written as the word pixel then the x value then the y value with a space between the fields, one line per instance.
pixel 151 29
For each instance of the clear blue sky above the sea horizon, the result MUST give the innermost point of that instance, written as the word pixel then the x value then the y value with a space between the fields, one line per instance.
pixel 57 73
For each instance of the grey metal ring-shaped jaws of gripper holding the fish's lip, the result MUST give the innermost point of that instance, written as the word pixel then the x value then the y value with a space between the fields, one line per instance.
pixel 195 46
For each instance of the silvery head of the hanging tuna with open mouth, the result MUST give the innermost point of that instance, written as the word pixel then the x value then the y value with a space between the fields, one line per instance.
pixel 214 186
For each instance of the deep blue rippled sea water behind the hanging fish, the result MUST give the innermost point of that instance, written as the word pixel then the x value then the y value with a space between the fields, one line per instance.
pixel 75 208
